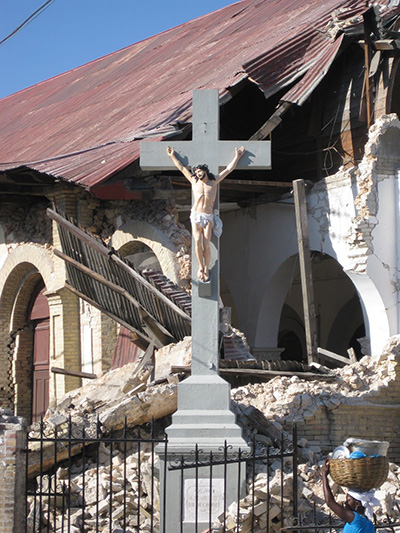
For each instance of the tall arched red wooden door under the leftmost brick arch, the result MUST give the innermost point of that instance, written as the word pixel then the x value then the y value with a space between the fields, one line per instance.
pixel 41 355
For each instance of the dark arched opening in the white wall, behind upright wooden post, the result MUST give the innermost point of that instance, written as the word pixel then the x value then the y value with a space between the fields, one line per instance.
pixel 338 311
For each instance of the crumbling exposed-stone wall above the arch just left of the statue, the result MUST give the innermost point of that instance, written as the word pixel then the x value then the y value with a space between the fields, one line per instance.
pixel 110 216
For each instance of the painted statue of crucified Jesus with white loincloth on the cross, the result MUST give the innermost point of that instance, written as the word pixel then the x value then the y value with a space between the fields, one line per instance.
pixel 202 216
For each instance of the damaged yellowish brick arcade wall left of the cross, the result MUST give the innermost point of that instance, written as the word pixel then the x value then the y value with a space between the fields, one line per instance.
pixel 81 337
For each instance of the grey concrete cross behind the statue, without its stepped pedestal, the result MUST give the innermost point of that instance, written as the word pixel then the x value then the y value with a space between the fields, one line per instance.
pixel 205 148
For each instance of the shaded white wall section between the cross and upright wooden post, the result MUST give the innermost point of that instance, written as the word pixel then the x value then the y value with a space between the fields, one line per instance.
pixel 254 245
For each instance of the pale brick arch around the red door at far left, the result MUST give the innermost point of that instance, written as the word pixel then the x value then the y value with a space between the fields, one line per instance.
pixel 21 272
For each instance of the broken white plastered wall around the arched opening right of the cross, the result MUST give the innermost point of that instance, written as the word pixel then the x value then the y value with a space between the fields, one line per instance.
pixel 352 218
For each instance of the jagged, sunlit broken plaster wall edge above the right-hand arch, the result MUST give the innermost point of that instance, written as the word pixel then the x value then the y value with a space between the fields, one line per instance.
pixel 346 206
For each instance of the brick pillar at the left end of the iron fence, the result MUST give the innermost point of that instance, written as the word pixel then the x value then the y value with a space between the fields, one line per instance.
pixel 13 473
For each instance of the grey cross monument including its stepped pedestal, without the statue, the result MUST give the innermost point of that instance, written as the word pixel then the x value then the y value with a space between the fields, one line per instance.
pixel 203 417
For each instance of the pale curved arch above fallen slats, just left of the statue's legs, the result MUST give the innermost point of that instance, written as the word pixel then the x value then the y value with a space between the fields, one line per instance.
pixel 155 239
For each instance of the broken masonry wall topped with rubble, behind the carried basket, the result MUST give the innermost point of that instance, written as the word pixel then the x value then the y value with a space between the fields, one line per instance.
pixel 362 402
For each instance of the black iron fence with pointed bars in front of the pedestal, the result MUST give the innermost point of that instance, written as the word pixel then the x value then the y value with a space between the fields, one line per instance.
pixel 79 480
